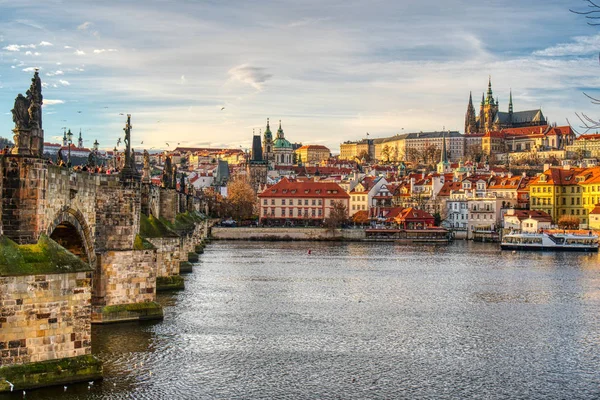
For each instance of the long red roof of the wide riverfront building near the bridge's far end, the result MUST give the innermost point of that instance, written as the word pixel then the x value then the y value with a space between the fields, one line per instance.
pixel 287 188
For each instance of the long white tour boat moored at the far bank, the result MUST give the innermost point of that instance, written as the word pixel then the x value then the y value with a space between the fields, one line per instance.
pixel 546 241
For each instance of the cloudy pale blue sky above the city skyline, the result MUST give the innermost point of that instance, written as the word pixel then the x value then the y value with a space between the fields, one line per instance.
pixel 209 73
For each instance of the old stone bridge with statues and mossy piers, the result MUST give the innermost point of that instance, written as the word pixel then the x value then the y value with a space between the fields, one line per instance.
pixel 119 238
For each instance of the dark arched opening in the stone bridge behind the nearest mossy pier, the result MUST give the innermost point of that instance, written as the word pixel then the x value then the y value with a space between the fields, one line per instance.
pixel 70 229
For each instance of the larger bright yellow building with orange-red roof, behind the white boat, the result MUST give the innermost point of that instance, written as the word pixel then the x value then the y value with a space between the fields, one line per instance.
pixel 557 192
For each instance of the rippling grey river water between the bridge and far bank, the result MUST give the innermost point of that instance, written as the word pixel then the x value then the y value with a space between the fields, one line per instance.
pixel 265 320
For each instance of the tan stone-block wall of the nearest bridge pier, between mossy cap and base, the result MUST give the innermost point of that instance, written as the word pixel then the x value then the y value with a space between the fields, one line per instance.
pixel 44 317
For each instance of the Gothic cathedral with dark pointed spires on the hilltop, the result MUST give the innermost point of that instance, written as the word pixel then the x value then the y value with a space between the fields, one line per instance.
pixel 491 119
